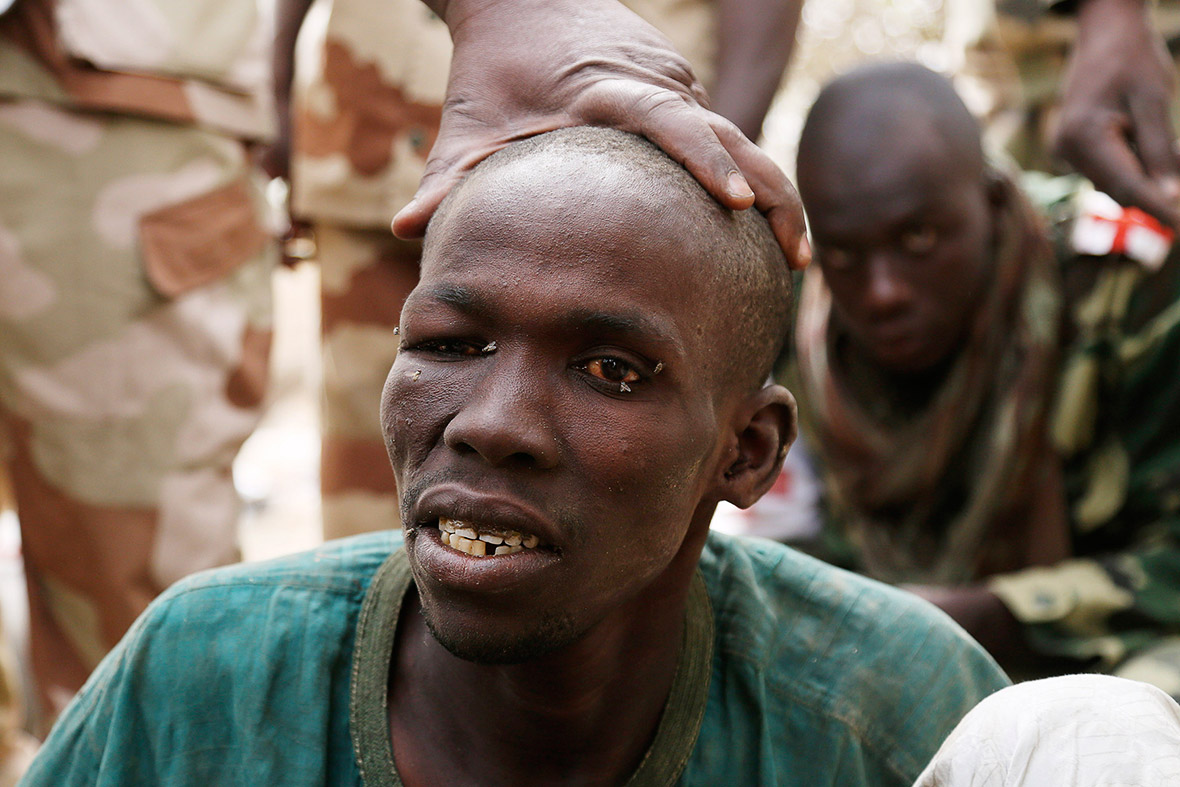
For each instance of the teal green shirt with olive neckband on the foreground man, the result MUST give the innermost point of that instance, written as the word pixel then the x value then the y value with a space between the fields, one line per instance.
pixel 791 673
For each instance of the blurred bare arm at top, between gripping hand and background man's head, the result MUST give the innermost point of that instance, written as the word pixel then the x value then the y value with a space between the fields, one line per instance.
pixel 756 40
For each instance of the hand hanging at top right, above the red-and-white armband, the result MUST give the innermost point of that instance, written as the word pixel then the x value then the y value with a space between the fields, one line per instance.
pixel 1116 124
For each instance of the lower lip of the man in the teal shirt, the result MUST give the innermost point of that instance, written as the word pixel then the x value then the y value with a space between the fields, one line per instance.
pixel 488 575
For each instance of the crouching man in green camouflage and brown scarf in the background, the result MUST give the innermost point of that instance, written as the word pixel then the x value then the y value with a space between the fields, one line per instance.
pixel 997 415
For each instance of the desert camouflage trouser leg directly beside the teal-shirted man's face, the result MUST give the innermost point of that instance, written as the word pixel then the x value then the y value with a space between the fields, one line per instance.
pixel 366 277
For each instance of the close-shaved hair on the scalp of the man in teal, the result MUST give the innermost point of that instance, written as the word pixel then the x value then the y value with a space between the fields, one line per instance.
pixel 733 255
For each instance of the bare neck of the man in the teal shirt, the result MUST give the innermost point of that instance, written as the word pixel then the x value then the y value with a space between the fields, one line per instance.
pixel 585 714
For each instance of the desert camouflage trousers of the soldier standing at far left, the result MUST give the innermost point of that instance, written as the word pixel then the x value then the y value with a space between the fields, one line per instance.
pixel 135 326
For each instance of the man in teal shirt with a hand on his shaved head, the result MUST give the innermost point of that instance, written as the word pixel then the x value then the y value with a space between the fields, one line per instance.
pixel 574 395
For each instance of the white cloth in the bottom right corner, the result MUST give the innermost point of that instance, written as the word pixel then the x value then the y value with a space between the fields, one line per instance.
pixel 1081 731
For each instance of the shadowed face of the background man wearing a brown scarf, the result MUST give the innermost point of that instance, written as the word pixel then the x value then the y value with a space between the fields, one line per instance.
pixel 903 227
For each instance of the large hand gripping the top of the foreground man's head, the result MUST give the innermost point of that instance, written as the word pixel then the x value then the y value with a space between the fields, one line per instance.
pixel 523 68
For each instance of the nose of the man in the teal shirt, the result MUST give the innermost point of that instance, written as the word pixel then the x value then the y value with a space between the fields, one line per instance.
pixel 507 417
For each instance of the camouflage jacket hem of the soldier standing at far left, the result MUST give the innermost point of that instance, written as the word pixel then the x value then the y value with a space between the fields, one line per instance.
pixel 195 62
